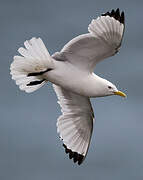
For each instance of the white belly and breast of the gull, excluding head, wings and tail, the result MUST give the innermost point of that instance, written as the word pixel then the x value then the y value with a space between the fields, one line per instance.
pixel 70 78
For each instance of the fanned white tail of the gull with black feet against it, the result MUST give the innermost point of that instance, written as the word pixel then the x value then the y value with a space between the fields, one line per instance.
pixel 29 68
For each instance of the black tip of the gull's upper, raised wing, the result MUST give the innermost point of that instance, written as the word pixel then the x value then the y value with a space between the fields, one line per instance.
pixel 116 14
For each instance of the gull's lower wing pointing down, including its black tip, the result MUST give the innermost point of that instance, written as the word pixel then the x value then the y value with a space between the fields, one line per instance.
pixel 75 124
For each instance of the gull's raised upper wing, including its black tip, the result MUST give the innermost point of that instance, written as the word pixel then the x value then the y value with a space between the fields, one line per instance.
pixel 103 40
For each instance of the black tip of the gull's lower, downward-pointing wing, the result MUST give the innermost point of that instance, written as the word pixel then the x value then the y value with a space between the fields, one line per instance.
pixel 76 156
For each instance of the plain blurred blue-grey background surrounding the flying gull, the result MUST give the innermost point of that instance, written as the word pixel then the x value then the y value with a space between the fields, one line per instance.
pixel 29 145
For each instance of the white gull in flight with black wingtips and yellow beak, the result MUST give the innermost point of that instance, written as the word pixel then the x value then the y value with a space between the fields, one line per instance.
pixel 71 71
